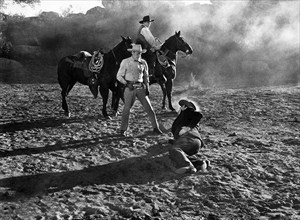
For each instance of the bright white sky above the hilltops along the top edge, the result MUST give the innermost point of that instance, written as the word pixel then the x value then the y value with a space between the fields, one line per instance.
pixel 61 6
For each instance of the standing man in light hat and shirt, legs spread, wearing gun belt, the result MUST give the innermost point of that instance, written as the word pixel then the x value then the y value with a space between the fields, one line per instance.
pixel 133 73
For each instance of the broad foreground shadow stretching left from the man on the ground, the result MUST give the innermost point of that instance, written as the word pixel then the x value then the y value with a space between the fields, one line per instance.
pixel 135 170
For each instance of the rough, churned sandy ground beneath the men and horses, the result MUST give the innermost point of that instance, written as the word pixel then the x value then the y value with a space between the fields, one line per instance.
pixel 53 167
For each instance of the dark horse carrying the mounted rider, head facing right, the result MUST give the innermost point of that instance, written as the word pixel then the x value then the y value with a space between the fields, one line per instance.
pixel 164 76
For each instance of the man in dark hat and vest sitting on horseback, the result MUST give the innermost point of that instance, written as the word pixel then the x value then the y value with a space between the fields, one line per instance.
pixel 148 42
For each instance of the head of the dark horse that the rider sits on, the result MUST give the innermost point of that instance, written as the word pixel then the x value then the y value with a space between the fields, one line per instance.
pixel 177 43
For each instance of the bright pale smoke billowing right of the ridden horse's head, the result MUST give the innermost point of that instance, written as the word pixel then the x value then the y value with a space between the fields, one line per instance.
pixel 242 43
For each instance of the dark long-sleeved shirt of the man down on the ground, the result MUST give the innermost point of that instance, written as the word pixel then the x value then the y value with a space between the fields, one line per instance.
pixel 187 118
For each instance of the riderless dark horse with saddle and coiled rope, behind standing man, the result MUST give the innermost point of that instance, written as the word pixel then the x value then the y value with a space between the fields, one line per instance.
pixel 105 79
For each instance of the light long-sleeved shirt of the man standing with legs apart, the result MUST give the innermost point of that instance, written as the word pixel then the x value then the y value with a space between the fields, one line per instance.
pixel 134 71
